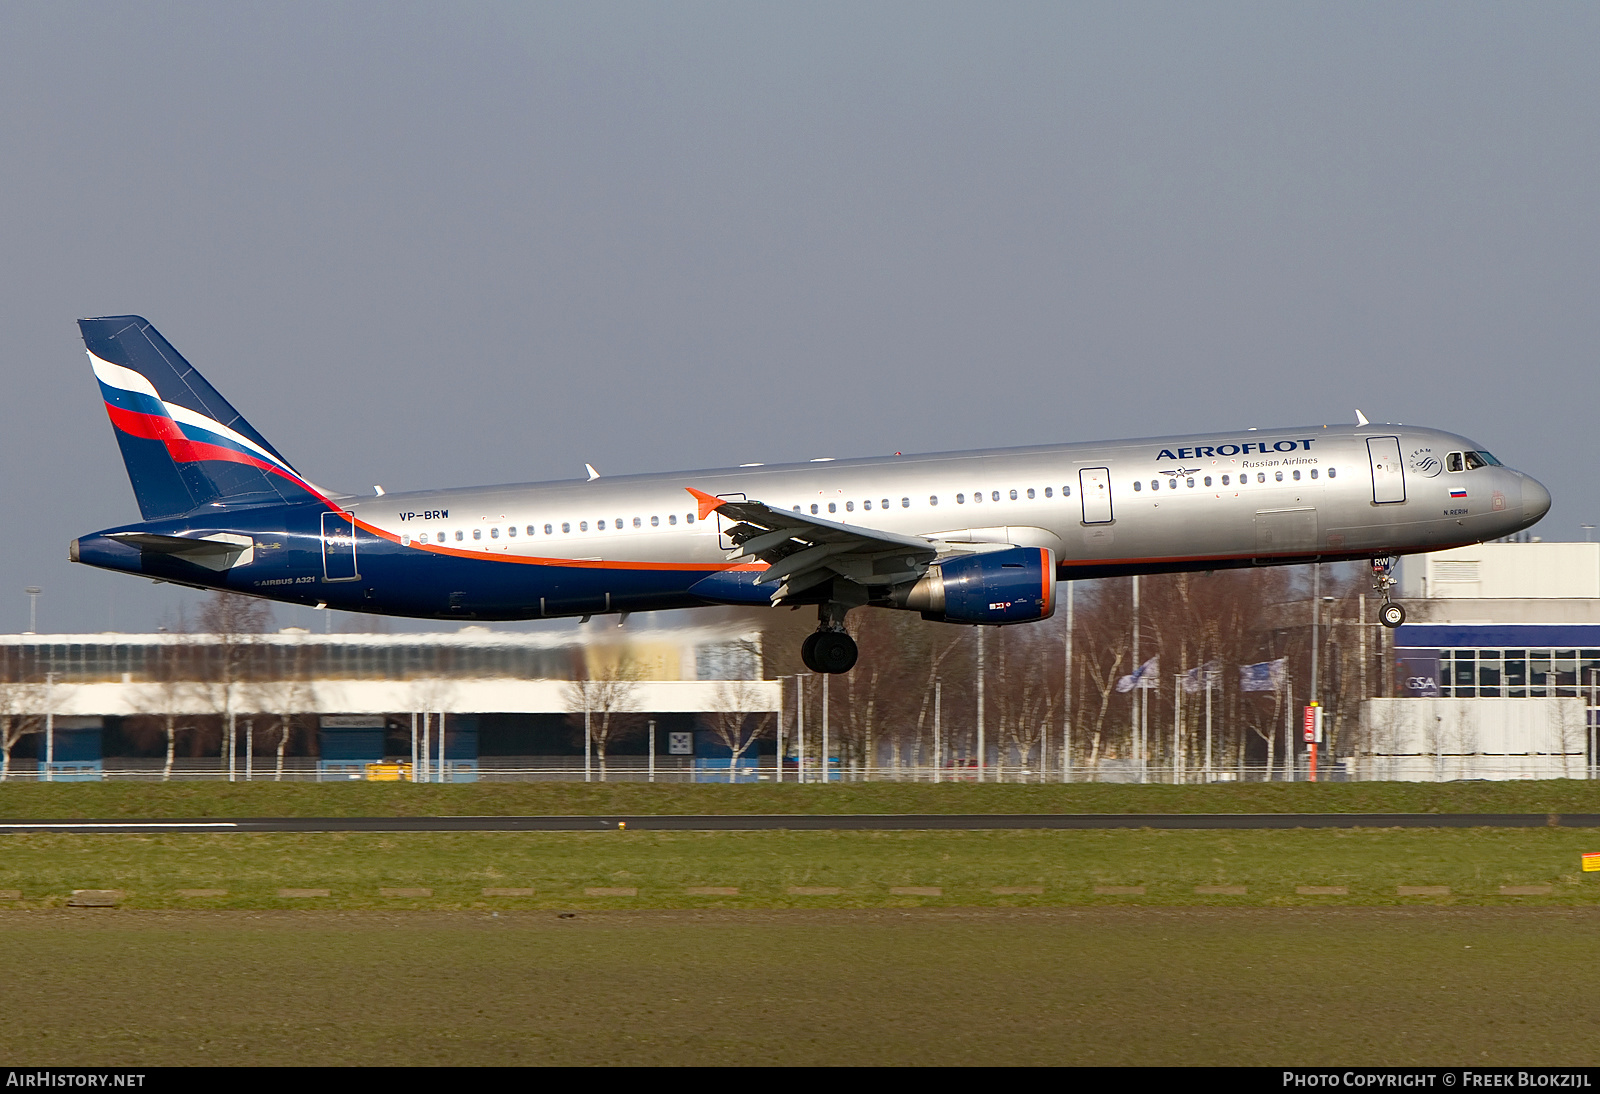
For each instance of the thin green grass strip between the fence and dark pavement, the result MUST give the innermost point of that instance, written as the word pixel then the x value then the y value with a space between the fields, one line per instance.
pixel 110 801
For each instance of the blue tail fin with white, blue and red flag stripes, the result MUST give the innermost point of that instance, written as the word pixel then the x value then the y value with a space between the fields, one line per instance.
pixel 185 445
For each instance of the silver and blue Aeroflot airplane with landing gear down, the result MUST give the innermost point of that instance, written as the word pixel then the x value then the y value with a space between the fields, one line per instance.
pixel 977 538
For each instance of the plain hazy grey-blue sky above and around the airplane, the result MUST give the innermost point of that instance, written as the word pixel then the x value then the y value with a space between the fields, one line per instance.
pixel 430 246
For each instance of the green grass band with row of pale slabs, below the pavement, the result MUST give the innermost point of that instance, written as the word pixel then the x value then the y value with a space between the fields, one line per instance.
pixel 1065 868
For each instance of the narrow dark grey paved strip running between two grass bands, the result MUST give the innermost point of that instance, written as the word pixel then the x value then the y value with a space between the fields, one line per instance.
pixel 838 823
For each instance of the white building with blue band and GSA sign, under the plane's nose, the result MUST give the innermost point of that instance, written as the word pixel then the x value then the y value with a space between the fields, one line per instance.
pixel 1497 668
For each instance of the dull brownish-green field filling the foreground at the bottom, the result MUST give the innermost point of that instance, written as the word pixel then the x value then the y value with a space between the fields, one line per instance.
pixel 937 988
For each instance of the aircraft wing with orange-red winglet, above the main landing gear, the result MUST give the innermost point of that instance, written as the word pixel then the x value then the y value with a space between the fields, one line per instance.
pixel 806 551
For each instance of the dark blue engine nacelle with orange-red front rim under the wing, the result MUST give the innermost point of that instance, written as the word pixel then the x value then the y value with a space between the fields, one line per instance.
pixel 994 588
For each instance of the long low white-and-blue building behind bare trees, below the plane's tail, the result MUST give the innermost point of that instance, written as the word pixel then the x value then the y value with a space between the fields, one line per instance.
pixel 372 706
